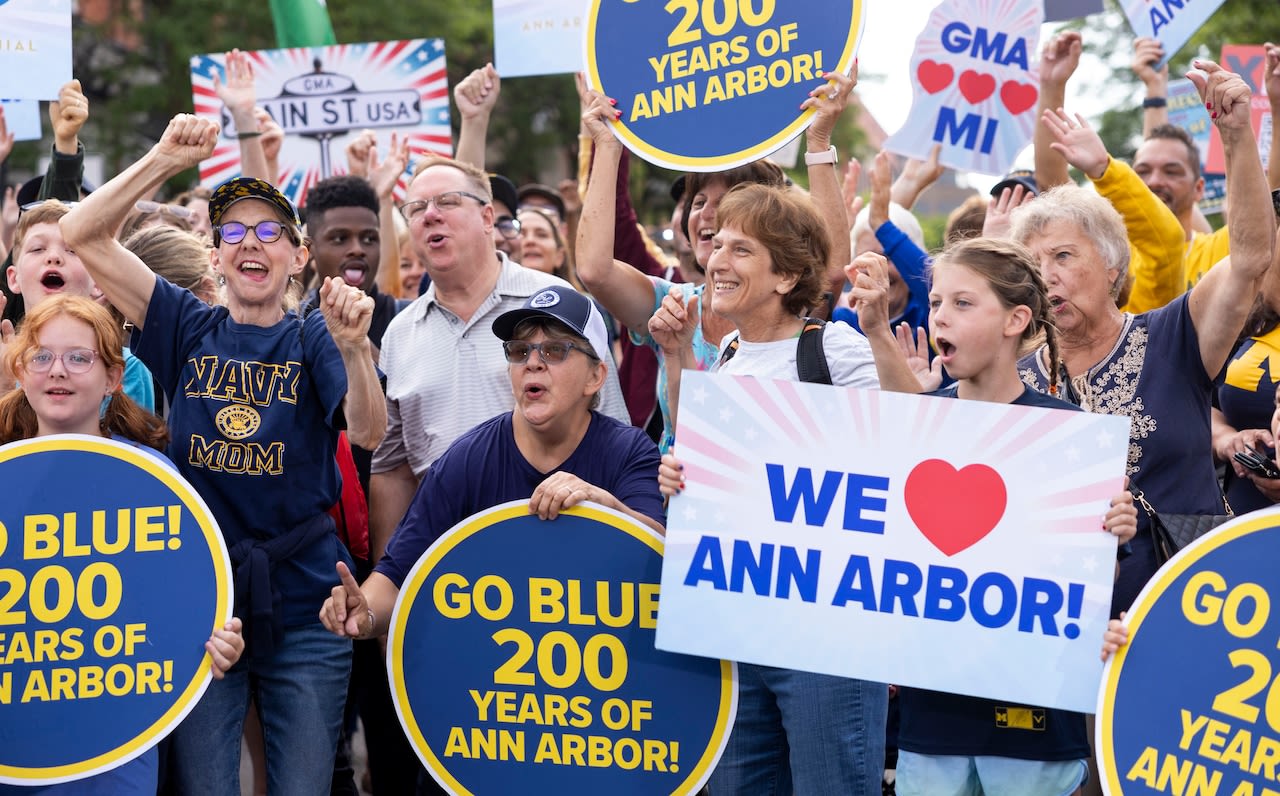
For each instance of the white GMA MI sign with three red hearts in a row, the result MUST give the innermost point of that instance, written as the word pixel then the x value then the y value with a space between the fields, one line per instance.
pixel 976 86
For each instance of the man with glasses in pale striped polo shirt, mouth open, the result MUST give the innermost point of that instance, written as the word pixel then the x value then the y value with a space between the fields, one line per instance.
pixel 445 370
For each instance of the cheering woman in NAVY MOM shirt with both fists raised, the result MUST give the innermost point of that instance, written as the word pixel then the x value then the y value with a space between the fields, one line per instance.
pixel 258 399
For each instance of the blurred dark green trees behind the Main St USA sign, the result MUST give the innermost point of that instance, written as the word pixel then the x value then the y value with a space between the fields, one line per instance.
pixel 135 72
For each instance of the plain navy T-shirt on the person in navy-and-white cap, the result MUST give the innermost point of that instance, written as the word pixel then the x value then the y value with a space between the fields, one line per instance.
pixel 484 469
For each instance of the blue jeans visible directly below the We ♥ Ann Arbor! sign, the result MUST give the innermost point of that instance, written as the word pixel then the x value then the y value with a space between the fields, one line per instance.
pixel 806 734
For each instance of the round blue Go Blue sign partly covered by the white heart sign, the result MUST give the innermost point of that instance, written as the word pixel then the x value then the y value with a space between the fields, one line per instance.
pixel 522 658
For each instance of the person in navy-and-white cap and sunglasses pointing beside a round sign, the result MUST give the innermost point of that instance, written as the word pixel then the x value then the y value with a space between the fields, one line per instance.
pixel 554 450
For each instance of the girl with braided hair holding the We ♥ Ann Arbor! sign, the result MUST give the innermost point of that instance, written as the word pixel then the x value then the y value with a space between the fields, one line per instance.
pixel 989 304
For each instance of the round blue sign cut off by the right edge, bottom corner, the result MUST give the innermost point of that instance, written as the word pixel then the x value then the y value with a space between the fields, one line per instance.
pixel 1192 703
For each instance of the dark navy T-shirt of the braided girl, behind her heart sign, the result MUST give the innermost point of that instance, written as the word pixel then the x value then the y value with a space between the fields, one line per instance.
pixel 938 724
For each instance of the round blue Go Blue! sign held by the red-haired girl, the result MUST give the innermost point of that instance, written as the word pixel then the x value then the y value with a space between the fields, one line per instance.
pixel 113 575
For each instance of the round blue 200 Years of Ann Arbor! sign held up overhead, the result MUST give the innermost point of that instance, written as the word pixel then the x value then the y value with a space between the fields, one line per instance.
pixel 710 85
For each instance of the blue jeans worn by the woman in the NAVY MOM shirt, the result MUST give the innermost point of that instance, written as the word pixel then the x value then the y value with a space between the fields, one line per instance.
pixel 300 694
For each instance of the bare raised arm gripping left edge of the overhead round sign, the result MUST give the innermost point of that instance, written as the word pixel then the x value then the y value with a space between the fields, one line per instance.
pixel 624 291
